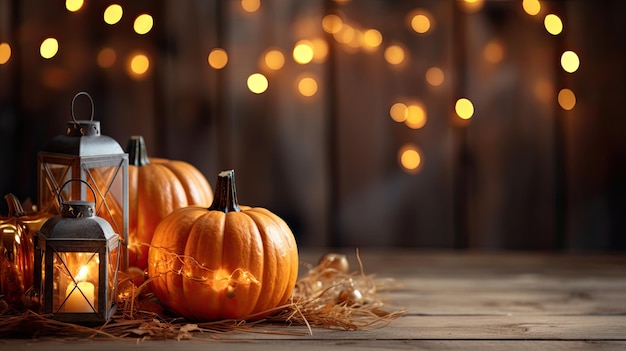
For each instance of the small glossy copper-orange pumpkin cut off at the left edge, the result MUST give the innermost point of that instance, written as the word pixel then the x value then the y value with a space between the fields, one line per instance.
pixel 17 234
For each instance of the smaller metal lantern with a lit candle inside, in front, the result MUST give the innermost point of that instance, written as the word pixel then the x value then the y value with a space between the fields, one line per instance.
pixel 76 264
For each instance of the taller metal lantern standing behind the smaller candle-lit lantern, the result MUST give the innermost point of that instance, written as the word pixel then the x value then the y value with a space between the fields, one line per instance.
pixel 84 153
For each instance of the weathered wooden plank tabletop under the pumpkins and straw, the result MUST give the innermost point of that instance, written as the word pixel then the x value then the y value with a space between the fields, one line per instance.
pixel 454 300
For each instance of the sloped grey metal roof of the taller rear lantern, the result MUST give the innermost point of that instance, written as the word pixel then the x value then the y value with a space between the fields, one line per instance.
pixel 83 138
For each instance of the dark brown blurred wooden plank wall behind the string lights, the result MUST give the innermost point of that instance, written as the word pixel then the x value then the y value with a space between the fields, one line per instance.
pixel 522 174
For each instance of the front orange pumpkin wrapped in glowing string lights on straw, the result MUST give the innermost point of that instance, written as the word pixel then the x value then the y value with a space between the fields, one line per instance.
pixel 224 262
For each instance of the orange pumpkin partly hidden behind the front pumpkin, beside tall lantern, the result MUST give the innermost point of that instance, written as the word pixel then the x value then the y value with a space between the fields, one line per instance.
pixel 156 187
